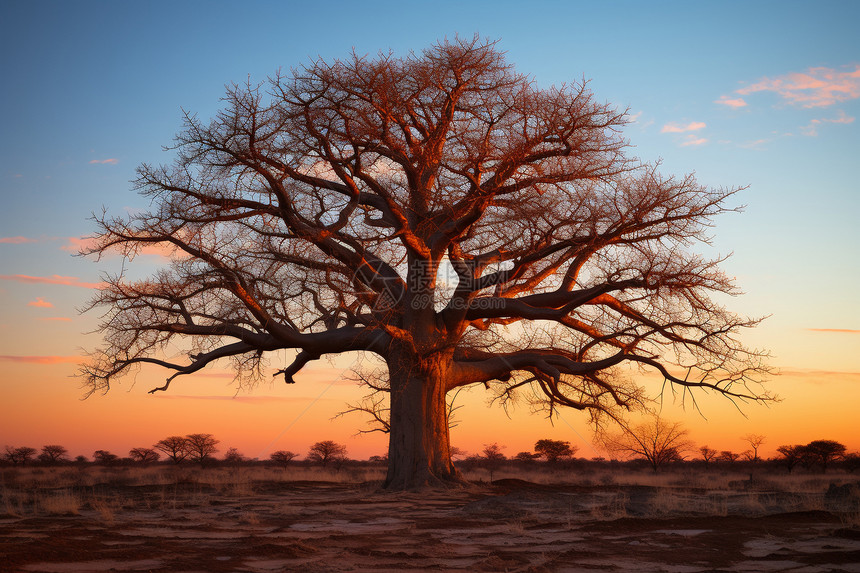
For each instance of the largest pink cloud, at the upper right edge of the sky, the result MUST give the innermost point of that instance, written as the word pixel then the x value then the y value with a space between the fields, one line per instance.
pixel 817 87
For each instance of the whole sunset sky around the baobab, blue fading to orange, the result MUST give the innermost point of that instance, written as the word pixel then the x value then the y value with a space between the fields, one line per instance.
pixel 757 94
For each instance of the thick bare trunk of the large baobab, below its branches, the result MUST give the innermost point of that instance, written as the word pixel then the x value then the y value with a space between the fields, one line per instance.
pixel 419 449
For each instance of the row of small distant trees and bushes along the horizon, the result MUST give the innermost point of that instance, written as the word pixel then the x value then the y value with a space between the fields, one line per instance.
pixel 655 443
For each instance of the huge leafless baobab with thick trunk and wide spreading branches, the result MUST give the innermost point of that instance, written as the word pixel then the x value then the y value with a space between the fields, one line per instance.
pixel 442 212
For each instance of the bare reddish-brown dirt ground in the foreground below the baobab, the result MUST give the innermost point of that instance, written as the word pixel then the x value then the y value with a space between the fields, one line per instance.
pixel 510 526
